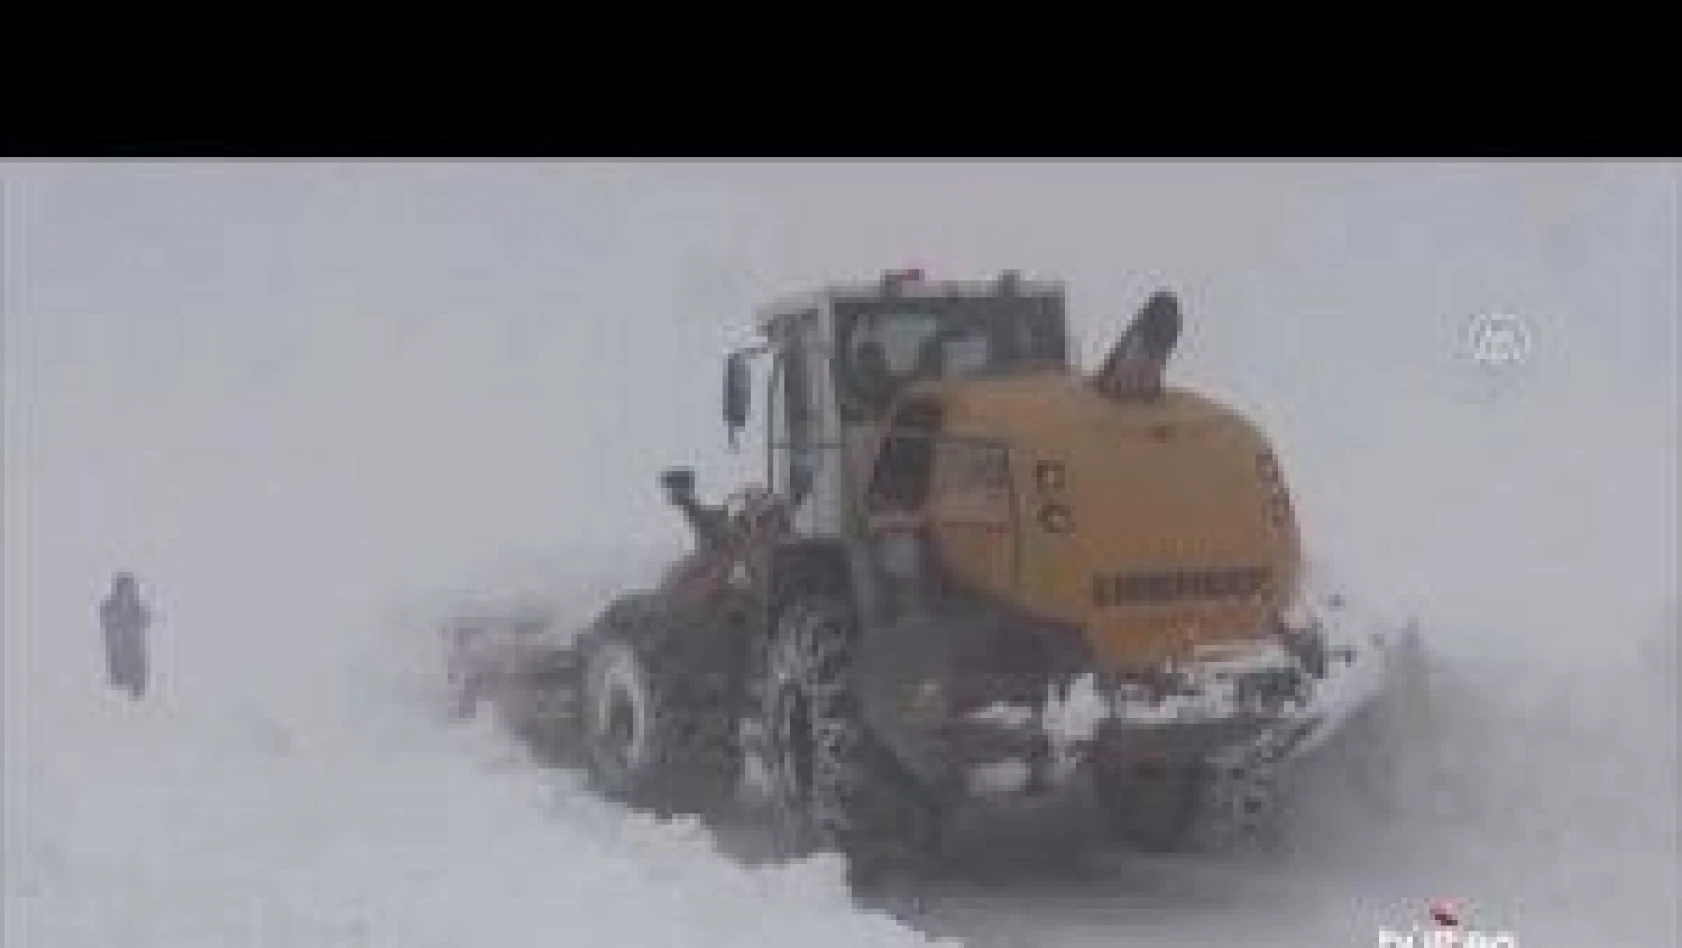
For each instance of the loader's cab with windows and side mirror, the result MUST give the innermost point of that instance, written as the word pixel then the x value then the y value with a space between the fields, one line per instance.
pixel 844 357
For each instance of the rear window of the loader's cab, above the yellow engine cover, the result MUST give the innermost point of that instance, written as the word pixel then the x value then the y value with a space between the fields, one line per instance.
pixel 887 344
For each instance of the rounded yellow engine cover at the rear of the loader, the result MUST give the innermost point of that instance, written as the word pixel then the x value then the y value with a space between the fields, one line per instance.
pixel 1153 525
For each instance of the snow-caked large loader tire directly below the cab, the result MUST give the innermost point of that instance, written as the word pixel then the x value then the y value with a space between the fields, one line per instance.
pixel 833 786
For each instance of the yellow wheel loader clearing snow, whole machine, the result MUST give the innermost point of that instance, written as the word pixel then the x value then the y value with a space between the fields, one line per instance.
pixel 973 572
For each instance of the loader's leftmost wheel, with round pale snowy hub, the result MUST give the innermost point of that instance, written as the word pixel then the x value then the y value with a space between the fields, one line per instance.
pixel 655 734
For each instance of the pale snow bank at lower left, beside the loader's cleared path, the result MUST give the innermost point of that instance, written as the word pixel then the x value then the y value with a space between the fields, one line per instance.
pixel 273 801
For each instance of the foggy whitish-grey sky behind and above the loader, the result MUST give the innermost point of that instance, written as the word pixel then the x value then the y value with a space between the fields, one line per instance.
pixel 346 374
